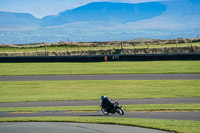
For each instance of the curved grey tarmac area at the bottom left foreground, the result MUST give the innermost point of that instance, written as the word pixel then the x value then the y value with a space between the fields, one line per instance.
pixel 58 127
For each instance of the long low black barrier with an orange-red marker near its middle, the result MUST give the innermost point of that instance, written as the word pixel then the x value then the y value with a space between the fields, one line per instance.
pixel 101 58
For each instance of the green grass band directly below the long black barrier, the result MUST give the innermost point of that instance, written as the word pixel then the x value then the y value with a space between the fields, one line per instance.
pixel 100 68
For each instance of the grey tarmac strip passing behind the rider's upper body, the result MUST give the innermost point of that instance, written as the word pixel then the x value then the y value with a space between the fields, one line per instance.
pixel 97 102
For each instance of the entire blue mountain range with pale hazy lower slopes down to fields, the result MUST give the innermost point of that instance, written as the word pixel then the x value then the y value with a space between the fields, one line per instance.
pixel 102 21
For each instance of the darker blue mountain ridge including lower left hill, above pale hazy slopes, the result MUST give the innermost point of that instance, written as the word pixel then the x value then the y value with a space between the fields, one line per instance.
pixel 118 13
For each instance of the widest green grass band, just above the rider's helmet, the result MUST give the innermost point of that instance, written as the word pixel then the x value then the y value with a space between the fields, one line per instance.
pixel 27 91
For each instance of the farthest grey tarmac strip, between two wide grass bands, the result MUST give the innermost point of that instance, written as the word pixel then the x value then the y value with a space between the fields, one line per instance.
pixel 102 77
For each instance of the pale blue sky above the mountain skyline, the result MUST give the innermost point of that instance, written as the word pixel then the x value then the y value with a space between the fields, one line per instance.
pixel 41 8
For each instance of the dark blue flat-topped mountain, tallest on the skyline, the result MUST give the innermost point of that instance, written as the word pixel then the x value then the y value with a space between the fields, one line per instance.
pixel 107 12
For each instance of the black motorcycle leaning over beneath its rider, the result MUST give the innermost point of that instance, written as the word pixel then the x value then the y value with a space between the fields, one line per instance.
pixel 116 109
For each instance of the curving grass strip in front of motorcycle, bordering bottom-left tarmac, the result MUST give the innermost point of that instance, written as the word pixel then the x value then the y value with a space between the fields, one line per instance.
pixel 179 126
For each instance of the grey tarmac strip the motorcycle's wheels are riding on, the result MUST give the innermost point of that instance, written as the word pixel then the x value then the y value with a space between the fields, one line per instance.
pixel 195 115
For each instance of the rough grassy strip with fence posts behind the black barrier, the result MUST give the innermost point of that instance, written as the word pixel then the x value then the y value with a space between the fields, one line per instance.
pixel 98 49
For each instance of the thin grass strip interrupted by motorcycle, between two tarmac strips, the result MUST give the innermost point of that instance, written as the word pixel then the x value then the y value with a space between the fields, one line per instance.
pixel 137 107
